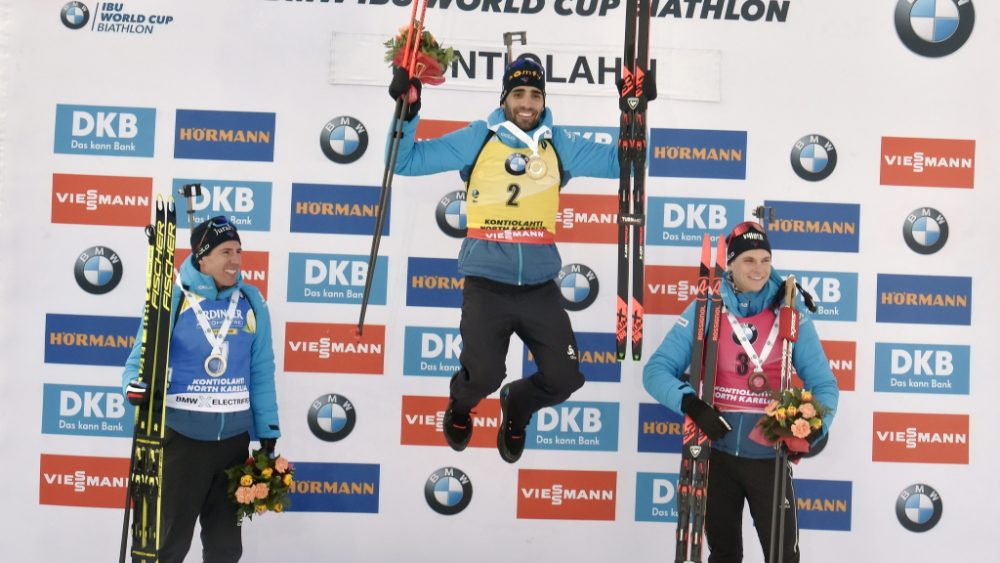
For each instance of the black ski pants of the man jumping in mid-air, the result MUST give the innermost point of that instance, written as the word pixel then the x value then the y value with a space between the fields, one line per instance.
pixel 491 312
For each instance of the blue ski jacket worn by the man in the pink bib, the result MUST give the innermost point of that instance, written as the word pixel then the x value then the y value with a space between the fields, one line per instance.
pixel 662 375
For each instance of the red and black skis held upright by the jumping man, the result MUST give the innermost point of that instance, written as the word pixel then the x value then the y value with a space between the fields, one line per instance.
pixel 632 185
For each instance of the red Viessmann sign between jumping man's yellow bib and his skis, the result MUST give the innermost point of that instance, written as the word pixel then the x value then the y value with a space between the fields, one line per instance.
pixel 587 218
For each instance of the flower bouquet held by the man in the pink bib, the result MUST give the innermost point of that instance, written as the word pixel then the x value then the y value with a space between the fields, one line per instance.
pixel 793 417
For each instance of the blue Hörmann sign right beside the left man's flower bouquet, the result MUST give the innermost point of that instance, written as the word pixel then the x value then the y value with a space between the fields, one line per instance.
pixel 335 487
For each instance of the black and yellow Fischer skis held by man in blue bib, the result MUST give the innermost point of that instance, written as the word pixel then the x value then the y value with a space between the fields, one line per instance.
pixel 144 493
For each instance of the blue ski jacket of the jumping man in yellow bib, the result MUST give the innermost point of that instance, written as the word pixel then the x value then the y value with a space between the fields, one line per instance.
pixel 510 263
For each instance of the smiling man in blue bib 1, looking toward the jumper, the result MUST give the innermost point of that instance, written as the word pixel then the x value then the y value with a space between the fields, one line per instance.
pixel 221 384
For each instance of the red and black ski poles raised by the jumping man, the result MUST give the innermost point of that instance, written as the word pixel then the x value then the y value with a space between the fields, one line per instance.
pixel 402 106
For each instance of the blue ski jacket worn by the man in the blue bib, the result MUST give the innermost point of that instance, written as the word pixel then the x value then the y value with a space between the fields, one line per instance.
pixel 263 412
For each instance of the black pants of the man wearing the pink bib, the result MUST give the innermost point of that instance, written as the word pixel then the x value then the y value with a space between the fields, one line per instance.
pixel 731 480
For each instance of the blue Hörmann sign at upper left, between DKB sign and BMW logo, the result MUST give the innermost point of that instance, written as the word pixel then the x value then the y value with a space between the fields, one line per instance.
pixel 224 135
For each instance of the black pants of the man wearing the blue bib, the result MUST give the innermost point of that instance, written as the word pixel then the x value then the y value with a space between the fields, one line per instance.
pixel 194 488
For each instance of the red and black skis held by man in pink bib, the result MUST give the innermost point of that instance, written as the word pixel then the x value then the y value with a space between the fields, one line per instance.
pixel 692 482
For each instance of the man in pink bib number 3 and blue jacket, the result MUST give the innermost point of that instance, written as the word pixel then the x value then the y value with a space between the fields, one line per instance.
pixel 741 468
